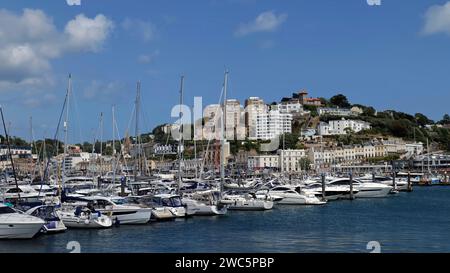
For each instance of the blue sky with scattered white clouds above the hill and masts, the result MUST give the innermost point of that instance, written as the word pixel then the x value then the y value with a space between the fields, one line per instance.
pixel 393 56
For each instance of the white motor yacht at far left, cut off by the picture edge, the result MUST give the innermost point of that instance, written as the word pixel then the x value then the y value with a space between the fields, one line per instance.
pixel 17 225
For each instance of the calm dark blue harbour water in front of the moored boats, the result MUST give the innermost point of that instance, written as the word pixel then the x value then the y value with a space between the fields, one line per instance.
pixel 407 222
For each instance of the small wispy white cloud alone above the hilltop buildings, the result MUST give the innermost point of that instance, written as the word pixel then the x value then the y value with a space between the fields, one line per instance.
pixel 265 22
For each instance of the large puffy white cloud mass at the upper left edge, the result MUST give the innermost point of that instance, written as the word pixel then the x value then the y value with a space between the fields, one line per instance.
pixel 29 41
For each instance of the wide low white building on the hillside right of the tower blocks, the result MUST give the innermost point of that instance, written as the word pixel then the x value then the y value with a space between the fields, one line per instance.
pixel 338 127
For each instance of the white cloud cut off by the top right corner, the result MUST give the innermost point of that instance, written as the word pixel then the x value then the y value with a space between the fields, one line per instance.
pixel 437 19
